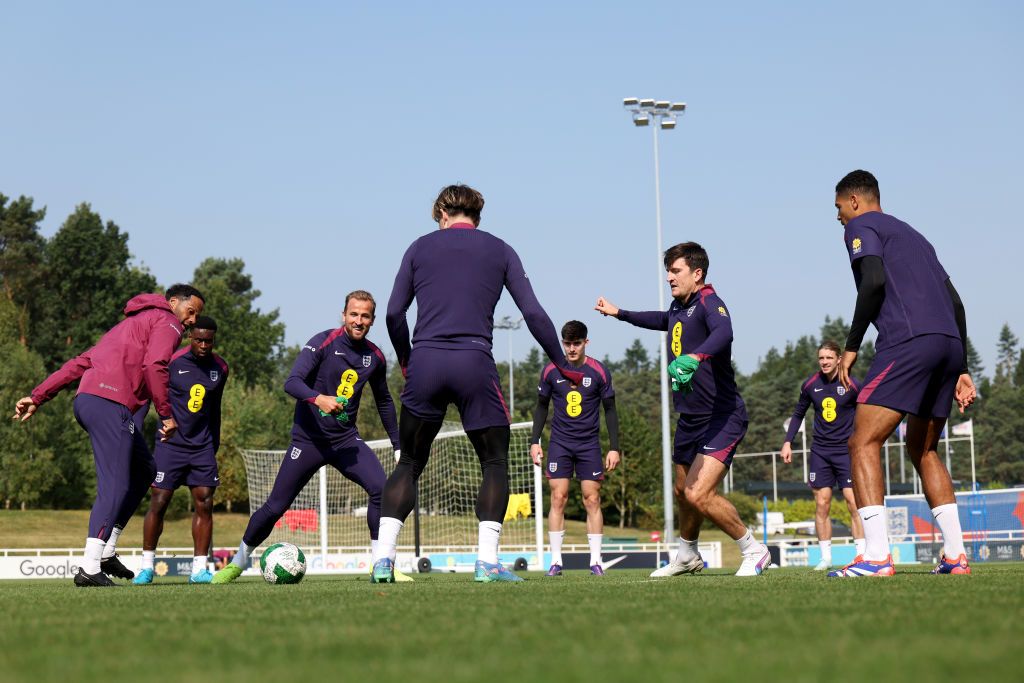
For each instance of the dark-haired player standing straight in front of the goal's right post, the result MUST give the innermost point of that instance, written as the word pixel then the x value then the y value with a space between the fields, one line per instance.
pixel 576 442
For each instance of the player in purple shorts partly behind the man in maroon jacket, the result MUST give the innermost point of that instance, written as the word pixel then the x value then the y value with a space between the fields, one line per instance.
pixel 190 457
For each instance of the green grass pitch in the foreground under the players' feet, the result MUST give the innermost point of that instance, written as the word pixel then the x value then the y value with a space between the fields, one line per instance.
pixel 790 625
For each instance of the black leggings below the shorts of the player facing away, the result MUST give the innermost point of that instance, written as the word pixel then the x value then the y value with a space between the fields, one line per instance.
pixel 416 437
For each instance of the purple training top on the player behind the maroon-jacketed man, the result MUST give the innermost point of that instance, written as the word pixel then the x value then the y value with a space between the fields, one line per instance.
pixel 196 389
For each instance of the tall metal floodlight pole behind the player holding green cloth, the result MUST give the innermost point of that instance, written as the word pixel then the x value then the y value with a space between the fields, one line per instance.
pixel 665 115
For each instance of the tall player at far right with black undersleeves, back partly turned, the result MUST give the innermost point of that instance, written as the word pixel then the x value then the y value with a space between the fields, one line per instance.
pixel 920 369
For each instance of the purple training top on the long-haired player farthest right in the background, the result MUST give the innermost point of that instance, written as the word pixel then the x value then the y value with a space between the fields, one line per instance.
pixel 834 409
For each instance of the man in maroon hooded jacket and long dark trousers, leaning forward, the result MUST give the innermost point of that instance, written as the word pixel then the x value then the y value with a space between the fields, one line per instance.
pixel 126 369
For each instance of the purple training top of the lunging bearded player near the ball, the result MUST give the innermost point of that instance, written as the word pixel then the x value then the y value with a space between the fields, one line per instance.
pixel 333 365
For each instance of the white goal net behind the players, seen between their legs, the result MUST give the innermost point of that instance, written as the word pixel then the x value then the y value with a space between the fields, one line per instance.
pixel 331 511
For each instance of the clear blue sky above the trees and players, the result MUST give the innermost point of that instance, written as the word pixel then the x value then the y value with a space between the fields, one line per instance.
pixel 312 139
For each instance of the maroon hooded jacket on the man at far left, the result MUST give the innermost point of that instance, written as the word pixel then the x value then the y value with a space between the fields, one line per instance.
pixel 129 365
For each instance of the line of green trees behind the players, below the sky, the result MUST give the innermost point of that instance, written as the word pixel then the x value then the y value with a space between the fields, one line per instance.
pixel 59 295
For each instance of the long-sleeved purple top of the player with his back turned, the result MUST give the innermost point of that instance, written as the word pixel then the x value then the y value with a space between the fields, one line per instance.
pixel 457 276
